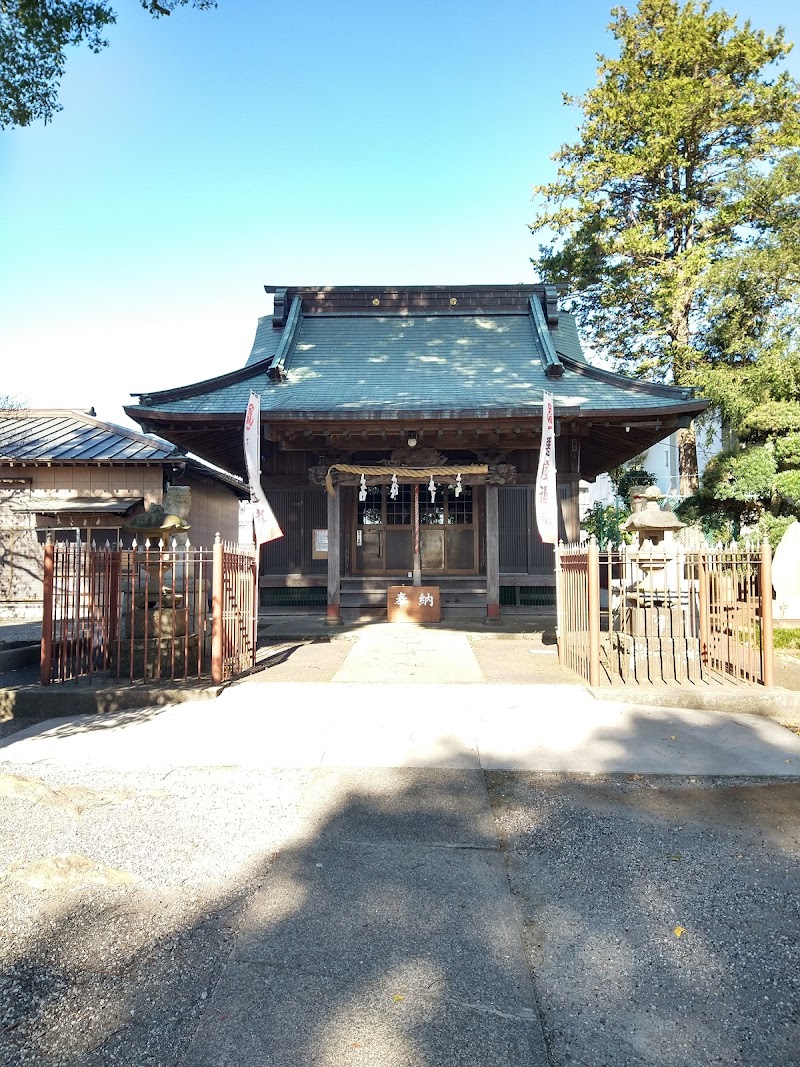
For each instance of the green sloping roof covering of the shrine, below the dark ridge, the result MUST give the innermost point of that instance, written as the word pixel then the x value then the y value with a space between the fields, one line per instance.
pixel 376 365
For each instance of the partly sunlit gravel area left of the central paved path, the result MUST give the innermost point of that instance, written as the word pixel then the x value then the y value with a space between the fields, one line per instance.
pixel 121 896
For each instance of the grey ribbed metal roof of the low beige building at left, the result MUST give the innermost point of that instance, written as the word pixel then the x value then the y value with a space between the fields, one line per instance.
pixel 69 436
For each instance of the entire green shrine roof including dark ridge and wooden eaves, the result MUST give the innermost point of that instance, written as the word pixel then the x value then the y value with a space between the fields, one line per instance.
pixel 332 364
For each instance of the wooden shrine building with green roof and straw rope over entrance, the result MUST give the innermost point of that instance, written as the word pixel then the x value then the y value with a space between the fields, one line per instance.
pixel 441 388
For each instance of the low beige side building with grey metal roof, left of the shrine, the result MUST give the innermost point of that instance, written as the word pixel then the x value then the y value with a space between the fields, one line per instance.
pixel 66 474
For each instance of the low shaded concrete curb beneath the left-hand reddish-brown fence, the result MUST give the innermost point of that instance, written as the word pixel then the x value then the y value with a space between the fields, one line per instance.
pixel 53 703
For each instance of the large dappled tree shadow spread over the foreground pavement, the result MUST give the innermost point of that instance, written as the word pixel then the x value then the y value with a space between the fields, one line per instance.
pixel 383 933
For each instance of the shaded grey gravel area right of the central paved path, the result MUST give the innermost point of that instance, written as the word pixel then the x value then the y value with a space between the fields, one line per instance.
pixel 661 917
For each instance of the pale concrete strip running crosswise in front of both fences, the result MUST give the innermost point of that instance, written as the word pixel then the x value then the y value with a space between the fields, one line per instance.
pixel 357 725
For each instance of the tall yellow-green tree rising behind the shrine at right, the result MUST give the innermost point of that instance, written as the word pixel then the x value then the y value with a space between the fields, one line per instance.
pixel 658 210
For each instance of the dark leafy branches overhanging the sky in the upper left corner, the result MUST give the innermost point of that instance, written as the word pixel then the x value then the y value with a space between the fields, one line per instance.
pixel 35 39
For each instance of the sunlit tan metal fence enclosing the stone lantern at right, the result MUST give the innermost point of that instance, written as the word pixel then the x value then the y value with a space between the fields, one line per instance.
pixel 666 615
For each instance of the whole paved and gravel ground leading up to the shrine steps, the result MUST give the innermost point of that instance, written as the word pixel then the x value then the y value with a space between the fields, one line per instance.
pixel 399 871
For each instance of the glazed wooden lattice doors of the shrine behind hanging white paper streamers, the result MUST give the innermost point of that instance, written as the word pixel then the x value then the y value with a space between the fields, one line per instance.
pixel 385 532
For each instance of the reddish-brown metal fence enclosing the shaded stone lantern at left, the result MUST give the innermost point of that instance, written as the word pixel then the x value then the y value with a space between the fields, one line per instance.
pixel 150 614
